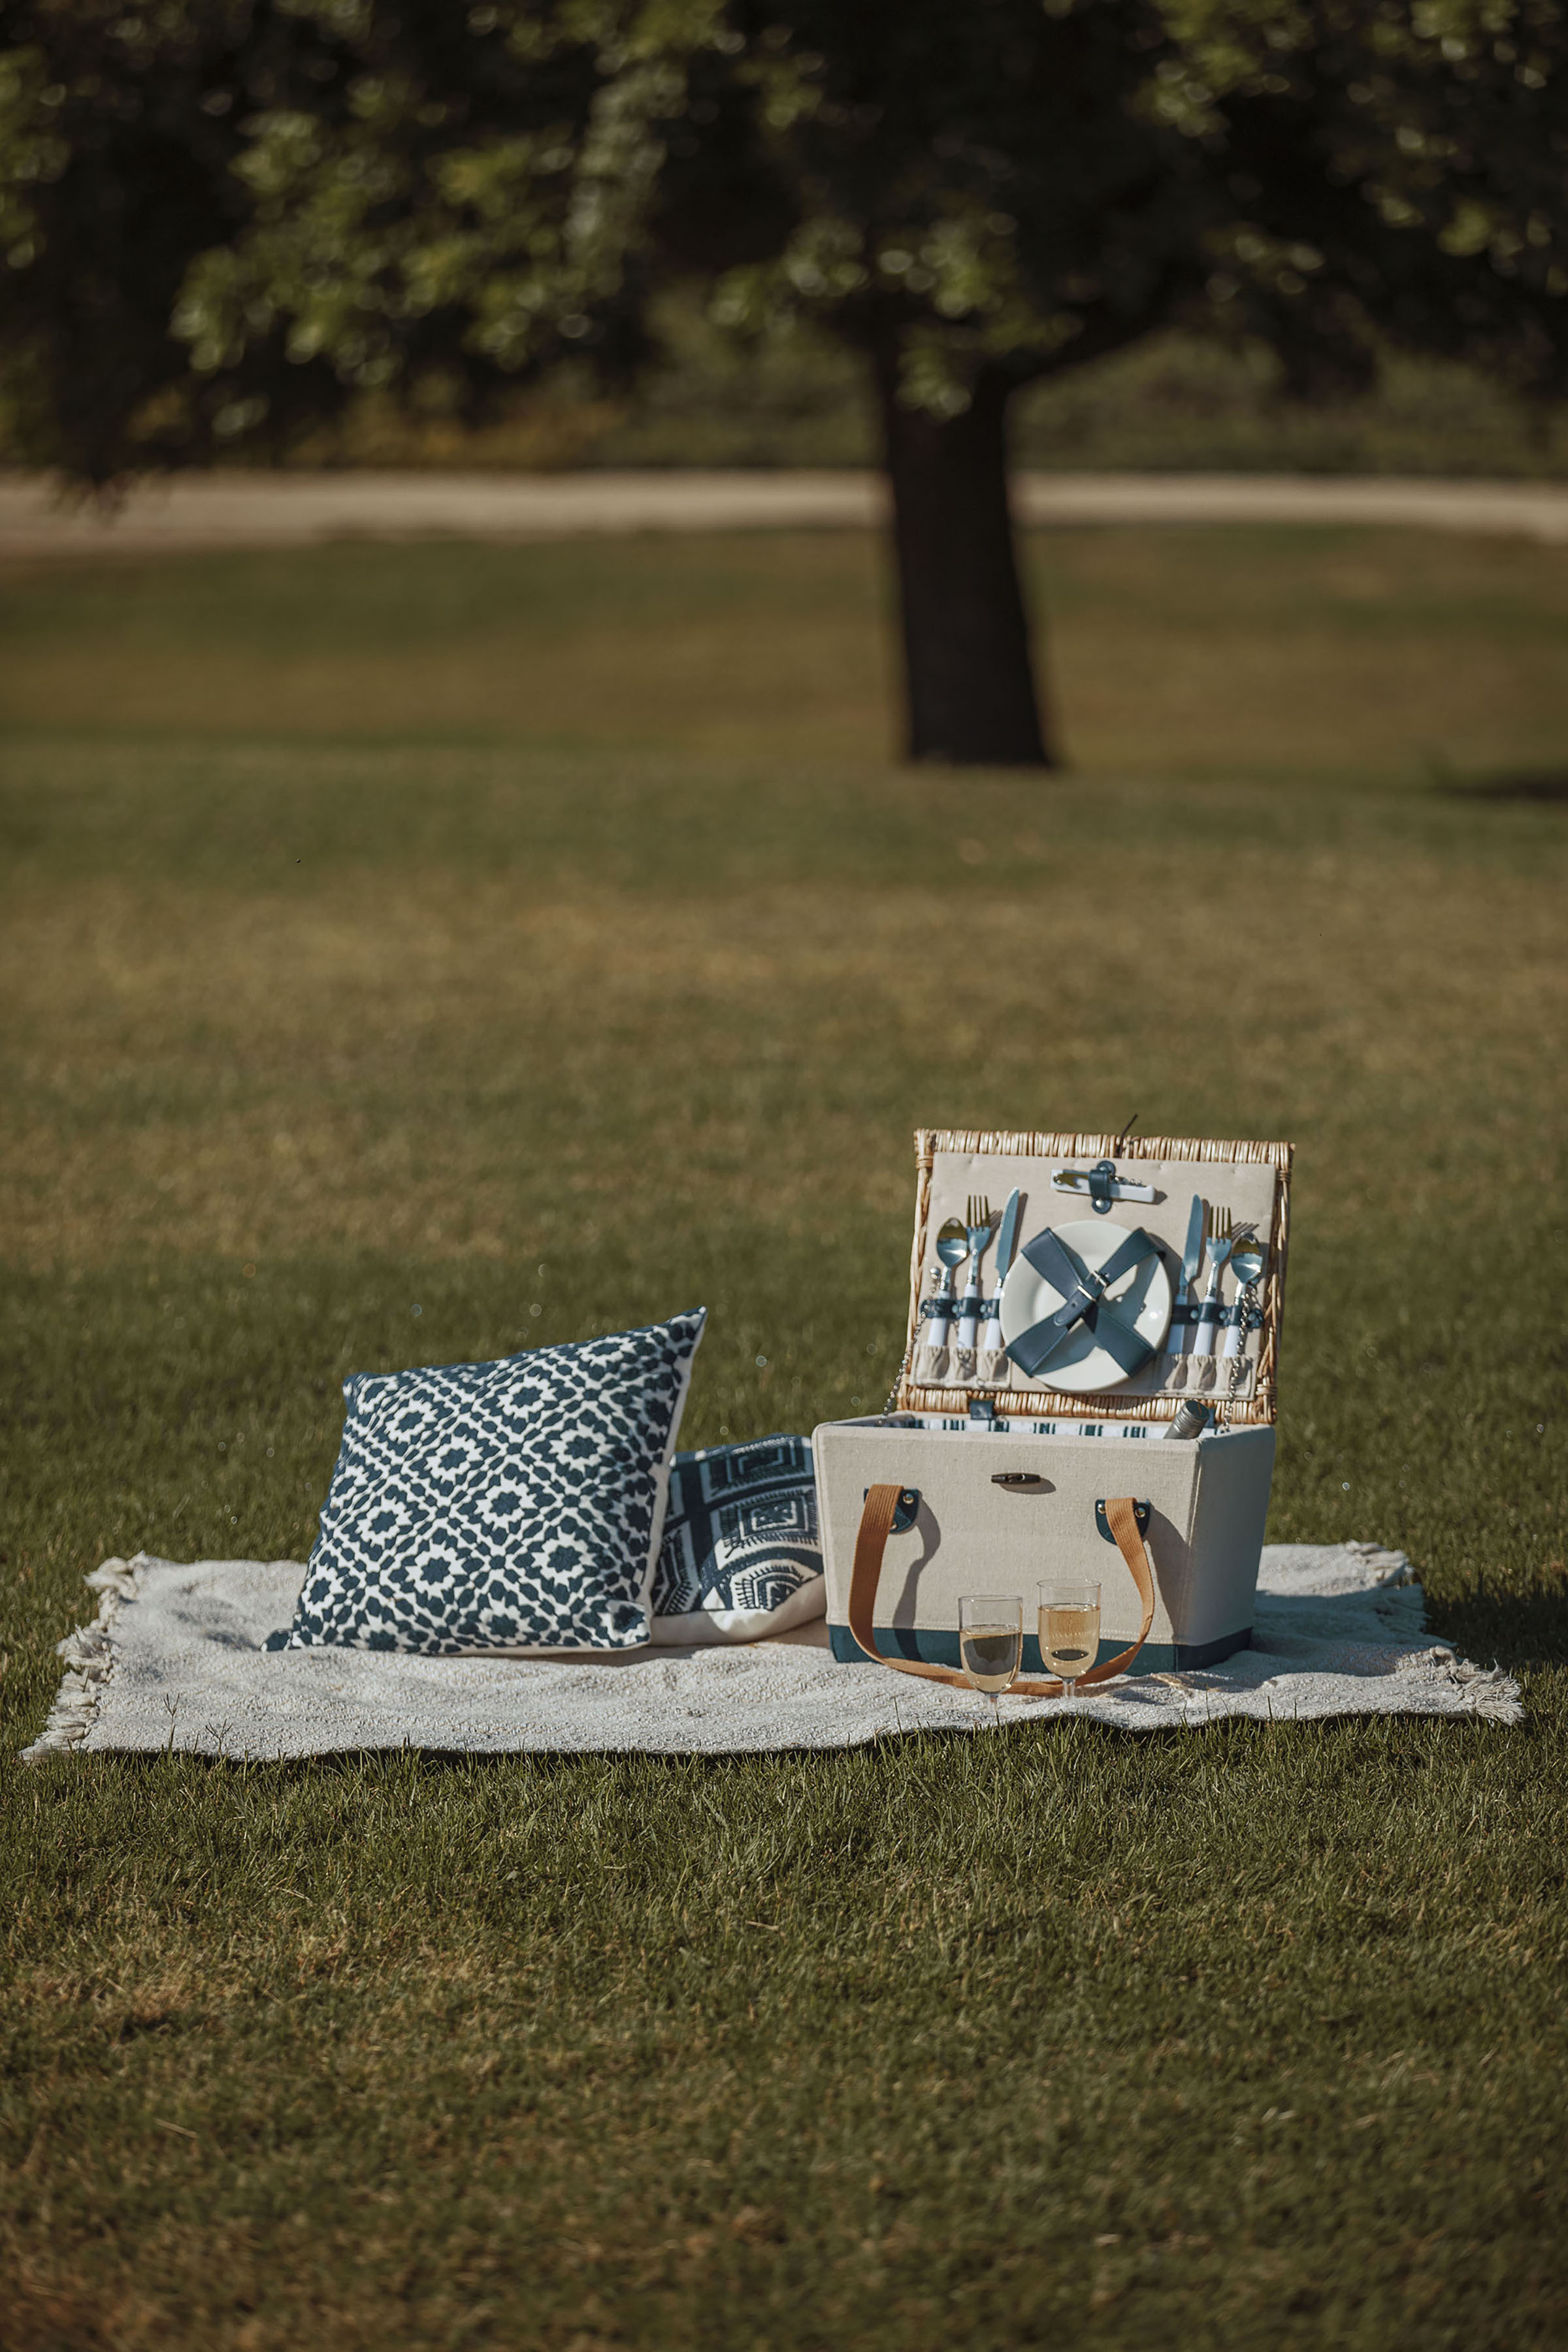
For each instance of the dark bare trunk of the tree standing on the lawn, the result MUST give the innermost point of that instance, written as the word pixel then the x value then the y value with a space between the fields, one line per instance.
pixel 965 634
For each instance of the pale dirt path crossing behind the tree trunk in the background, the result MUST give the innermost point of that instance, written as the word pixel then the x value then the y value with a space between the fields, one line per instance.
pixel 297 509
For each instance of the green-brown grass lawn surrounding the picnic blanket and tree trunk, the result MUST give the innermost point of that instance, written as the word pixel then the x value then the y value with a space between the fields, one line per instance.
pixel 417 954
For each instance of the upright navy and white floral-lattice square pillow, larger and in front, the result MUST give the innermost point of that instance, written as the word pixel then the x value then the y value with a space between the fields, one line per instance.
pixel 509 1506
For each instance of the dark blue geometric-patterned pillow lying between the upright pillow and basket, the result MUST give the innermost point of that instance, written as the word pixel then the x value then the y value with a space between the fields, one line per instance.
pixel 742 1553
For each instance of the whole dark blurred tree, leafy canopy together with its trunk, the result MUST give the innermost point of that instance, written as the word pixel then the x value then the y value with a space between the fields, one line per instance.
pixel 227 218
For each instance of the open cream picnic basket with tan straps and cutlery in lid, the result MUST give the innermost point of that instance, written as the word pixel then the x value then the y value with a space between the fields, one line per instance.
pixel 989 1485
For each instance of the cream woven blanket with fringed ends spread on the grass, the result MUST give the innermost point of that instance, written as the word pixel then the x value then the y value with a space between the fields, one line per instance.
pixel 175 1662
